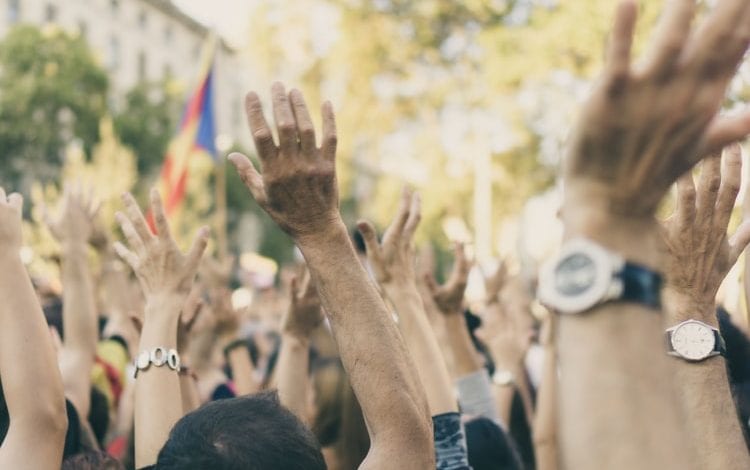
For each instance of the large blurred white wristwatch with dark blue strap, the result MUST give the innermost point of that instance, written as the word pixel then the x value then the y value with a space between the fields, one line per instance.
pixel 586 275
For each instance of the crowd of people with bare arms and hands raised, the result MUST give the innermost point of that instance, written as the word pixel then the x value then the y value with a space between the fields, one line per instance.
pixel 144 362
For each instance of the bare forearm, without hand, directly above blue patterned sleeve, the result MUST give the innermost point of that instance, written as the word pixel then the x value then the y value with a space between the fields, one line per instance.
pixel 423 347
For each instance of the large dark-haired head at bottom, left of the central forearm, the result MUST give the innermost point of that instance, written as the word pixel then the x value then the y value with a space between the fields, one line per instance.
pixel 246 433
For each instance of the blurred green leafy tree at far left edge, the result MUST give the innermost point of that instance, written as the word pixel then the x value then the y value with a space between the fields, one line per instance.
pixel 52 91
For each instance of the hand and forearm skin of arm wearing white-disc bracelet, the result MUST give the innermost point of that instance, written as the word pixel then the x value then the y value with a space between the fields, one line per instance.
pixel 166 277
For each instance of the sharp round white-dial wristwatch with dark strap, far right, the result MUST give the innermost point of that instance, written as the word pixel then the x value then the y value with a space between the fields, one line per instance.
pixel 694 341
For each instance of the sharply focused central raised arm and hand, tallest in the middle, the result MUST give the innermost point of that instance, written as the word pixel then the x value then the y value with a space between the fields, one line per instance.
pixel 298 189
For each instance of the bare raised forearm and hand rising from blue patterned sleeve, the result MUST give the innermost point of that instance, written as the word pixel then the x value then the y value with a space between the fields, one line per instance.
pixel 392 261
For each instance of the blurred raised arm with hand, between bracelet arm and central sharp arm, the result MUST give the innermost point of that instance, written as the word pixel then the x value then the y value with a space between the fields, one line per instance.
pixel 301 320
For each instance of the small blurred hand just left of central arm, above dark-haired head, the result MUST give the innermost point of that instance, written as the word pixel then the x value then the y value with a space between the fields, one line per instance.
pixel 305 313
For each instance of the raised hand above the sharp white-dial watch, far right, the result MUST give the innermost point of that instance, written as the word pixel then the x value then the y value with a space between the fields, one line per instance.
pixel 701 253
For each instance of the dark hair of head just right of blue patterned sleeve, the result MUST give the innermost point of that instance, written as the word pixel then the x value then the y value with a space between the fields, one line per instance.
pixel 490 448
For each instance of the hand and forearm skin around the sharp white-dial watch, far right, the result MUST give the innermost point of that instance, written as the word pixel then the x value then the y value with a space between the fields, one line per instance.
pixel 700 254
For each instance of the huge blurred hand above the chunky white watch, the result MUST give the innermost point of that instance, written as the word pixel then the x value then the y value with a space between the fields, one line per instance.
pixel 645 126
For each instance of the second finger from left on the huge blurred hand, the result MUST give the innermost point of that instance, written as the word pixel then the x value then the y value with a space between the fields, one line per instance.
pixel 672 36
